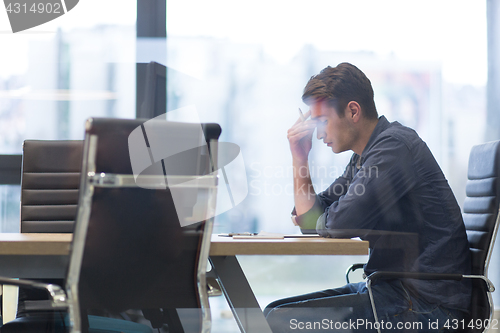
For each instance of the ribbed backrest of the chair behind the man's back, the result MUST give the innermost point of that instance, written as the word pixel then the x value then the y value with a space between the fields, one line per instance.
pixel 481 218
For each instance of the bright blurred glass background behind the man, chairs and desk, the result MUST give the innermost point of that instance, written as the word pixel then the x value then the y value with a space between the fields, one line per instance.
pixel 244 64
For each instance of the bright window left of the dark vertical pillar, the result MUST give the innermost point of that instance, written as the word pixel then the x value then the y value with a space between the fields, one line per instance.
pixel 55 76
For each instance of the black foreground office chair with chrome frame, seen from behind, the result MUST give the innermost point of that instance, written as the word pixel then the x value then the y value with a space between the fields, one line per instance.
pixel 129 249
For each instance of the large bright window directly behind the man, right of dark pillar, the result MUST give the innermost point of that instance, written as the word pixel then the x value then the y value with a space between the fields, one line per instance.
pixel 244 65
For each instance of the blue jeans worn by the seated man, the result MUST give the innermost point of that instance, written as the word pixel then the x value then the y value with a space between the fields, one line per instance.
pixel 348 309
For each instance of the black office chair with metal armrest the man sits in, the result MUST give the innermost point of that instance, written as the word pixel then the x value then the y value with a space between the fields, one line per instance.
pixel 481 218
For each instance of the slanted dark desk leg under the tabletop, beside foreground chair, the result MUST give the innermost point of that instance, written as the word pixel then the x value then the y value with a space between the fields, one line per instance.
pixel 239 295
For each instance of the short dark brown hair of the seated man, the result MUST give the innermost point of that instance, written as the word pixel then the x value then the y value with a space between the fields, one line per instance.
pixel 340 85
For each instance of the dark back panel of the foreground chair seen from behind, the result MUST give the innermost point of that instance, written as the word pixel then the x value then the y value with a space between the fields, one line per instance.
pixel 136 253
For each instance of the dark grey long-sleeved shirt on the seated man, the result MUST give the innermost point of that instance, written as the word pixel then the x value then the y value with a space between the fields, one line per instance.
pixel 396 197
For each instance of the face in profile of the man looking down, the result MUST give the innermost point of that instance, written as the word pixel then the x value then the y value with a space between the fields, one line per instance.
pixel 335 131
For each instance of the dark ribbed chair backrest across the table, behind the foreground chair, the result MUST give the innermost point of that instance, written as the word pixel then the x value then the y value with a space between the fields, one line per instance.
pixel 50 185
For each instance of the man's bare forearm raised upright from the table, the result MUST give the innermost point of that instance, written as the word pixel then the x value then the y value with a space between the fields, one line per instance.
pixel 304 194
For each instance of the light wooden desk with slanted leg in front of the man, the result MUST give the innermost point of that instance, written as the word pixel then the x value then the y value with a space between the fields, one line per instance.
pixel 46 256
